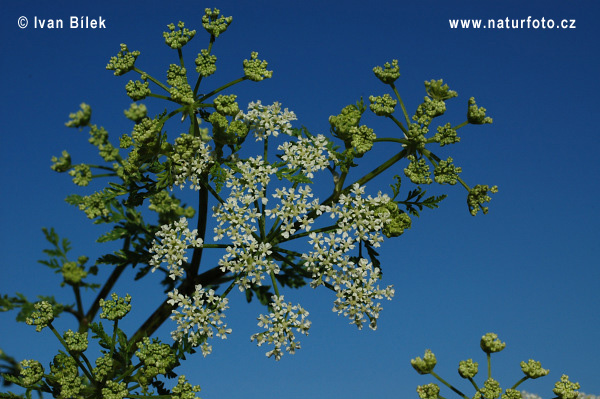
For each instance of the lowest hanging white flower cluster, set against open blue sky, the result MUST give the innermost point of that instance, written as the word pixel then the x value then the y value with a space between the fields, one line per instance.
pixel 280 325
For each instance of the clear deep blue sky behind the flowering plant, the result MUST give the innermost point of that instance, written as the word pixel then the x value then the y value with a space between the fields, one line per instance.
pixel 528 270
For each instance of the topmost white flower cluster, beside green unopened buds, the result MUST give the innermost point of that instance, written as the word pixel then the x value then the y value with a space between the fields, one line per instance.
pixel 267 120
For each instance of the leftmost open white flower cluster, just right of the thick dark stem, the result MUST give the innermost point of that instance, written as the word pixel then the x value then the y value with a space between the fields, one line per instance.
pixel 173 240
